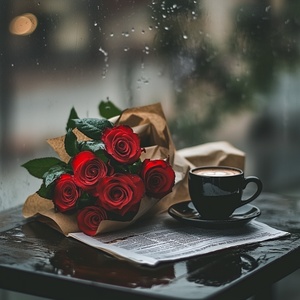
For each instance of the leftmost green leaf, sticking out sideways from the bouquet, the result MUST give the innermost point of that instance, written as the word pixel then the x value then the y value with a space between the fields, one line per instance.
pixel 39 166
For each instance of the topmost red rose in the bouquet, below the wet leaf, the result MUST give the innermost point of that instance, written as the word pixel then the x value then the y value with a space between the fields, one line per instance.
pixel 122 144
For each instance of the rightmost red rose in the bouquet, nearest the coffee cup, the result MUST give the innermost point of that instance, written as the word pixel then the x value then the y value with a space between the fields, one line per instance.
pixel 158 176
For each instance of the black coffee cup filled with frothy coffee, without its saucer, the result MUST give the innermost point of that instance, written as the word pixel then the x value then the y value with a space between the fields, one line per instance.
pixel 216 191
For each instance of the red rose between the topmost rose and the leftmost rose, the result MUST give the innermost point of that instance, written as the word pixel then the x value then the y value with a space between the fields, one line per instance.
pixel 88 168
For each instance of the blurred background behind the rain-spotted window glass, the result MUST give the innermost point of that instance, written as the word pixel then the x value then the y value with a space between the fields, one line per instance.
pixel 223 70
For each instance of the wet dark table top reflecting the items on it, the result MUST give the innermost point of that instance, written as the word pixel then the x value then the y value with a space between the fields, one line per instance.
pixel 37 260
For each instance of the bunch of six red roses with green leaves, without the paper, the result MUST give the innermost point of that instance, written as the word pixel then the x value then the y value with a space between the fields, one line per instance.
pixel 103 175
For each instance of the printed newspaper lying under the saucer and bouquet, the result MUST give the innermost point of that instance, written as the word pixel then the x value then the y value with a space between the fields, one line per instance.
pixel 163 239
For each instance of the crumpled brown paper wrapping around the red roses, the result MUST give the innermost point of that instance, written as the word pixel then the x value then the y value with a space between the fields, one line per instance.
pixel 150 123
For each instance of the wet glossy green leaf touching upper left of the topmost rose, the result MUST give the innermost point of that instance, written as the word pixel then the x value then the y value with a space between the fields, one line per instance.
pixel 92 127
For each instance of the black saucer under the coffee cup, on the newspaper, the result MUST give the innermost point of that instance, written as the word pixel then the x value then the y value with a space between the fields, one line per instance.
pixel 186 212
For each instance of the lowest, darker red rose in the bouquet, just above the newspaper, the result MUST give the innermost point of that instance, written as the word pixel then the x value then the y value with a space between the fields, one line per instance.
pixel 89 218
